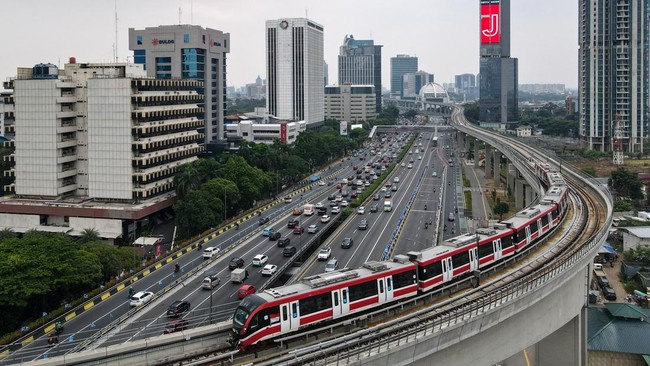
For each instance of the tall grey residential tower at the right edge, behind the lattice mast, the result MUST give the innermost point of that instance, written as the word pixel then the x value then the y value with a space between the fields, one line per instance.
pixel 613 73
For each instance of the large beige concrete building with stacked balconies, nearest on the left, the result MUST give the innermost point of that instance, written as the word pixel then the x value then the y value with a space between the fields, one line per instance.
pixel 97 146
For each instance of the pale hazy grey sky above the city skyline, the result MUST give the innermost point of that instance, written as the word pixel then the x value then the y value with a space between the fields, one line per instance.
pixel 443 34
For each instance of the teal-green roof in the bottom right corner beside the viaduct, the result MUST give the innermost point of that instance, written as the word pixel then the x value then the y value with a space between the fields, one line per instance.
pixel 622 328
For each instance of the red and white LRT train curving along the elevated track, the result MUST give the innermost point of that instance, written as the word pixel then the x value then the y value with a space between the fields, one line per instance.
pixel 333 295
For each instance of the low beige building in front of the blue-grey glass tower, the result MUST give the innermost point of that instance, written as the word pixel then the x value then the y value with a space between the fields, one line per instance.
pixel 350 103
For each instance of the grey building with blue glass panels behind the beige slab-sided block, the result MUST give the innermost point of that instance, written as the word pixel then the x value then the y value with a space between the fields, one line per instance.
pixel 188 52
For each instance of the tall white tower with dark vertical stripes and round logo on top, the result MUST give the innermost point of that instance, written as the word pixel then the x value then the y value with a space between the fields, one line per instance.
pixel 295 70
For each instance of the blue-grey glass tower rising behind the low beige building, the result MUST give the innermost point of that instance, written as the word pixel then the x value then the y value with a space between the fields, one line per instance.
pixel 360 64
